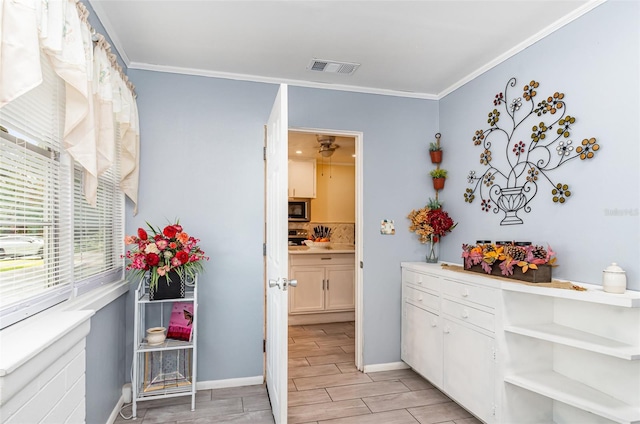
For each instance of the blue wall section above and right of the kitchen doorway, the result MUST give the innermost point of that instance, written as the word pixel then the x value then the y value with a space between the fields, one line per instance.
pixel 396 132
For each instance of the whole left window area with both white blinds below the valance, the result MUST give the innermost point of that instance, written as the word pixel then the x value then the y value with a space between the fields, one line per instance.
pixel 53 244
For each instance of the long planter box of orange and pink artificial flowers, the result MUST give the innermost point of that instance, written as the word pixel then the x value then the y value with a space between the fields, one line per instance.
pixel 530 263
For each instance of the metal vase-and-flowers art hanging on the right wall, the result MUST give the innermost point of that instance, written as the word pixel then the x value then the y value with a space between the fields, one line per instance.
pixel 526 141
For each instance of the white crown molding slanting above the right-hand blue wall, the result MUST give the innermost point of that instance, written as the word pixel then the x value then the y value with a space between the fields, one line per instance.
pixel 526 43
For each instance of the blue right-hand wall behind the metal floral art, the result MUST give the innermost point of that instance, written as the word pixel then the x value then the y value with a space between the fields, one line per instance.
pixel 594 61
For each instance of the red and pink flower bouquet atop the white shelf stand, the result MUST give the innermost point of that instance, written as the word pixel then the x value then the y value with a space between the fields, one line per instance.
pixel 162 252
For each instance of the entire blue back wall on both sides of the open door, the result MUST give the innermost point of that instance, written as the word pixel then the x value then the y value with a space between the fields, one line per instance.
pixel 202 162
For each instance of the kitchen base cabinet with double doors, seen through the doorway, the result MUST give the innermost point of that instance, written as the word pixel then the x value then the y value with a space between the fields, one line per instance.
pixel 326 283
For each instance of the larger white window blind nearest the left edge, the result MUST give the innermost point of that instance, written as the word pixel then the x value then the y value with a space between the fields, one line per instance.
pixel 34 273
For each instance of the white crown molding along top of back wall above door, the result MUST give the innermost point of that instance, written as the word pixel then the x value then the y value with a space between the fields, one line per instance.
pixel 271 80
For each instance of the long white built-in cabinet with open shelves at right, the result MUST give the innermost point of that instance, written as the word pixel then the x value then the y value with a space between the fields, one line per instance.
pixel 523 353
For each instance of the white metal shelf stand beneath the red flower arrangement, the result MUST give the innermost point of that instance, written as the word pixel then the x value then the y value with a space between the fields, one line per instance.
pixel 168 369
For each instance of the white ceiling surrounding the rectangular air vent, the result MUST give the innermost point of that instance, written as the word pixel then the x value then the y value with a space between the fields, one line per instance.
pixel 423 49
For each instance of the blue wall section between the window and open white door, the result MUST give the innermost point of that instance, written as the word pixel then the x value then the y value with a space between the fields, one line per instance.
pixel 201 162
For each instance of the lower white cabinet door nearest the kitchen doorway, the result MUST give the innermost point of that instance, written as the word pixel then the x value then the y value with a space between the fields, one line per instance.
pixel 422 343
